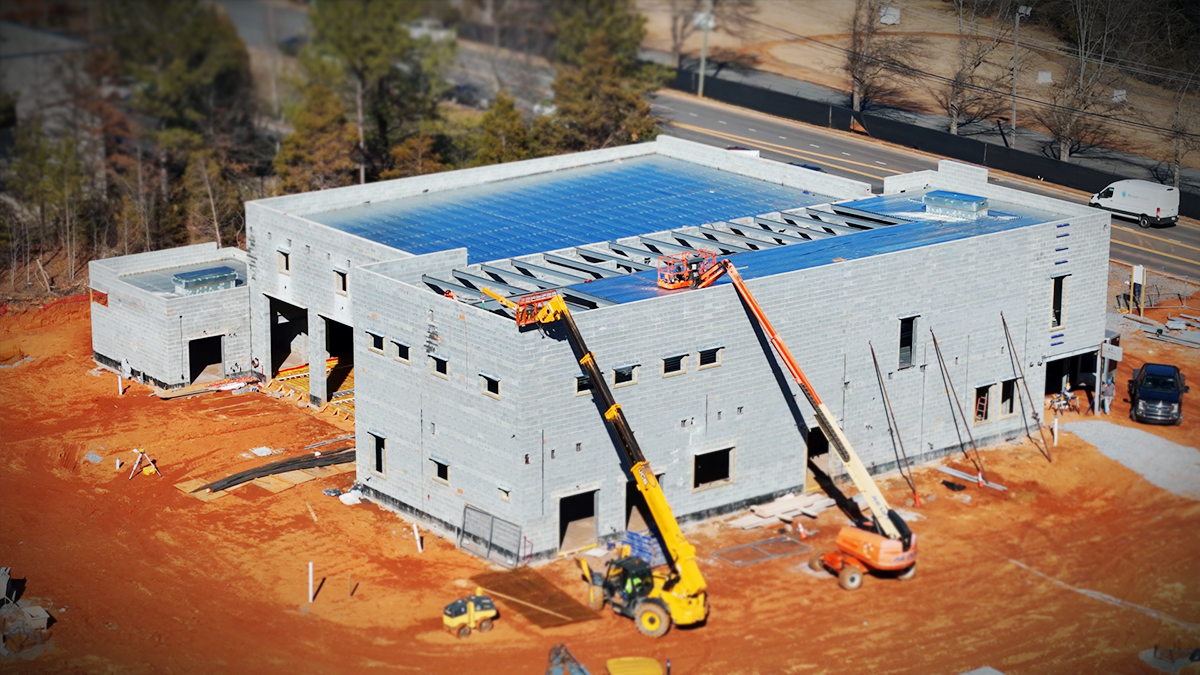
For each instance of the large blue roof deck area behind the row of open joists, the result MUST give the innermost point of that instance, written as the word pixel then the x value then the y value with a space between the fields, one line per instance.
pixel 566 208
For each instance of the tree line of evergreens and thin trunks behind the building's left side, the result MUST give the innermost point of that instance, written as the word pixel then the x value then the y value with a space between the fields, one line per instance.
pixel 163 139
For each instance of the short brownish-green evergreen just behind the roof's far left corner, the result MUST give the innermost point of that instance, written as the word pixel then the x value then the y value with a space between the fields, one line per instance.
pixel 320 153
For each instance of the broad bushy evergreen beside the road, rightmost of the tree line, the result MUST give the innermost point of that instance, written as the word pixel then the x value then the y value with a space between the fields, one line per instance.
pixel 597 106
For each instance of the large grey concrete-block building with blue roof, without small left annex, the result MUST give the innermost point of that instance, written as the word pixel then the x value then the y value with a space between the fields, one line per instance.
pixel 467 422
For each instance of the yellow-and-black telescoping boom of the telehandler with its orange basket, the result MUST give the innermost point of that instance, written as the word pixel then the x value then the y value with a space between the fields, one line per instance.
pixel 683 594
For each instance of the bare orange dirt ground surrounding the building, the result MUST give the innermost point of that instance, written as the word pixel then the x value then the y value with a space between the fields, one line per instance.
pixel 142 578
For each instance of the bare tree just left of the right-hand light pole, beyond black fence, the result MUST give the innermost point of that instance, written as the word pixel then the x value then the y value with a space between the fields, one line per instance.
pixel 974 92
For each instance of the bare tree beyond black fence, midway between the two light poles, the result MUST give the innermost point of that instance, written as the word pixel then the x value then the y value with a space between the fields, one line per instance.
pixel 877 56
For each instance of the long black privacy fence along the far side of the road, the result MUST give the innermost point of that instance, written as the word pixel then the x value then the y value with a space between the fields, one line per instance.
pixel 902 134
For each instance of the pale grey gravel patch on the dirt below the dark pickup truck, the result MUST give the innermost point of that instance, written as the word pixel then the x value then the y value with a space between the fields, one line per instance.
pixel 1168 465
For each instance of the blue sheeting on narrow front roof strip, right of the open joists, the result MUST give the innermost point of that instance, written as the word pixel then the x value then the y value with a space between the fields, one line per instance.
pixel 928 230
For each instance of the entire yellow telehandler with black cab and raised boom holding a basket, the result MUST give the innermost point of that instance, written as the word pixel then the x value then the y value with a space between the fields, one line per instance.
pixel 653 601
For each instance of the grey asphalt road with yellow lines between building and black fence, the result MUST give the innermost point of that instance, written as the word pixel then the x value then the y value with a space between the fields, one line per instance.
pixel 1174 250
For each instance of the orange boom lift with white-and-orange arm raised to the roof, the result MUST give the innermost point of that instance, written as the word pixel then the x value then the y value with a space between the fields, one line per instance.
pixel 883 543
